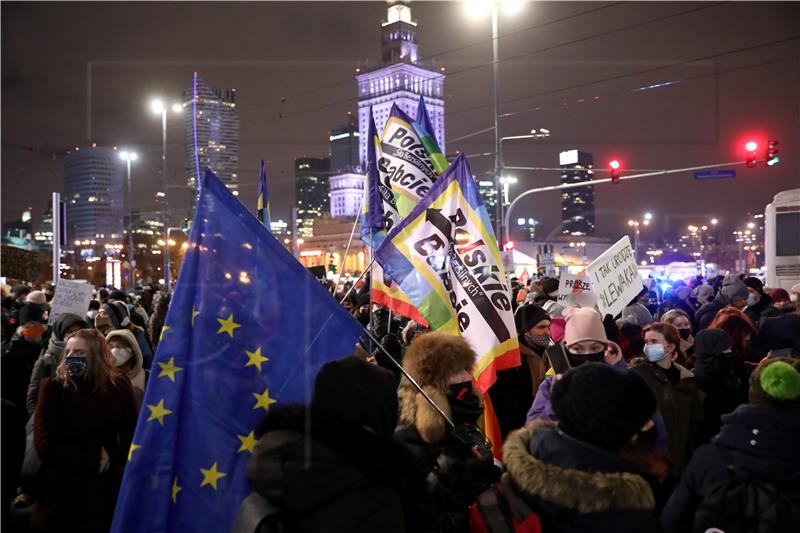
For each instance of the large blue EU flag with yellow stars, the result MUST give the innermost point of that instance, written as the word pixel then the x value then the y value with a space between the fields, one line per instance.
pixel 248 327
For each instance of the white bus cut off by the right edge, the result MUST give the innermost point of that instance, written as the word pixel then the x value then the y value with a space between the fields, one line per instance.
pixel 782 240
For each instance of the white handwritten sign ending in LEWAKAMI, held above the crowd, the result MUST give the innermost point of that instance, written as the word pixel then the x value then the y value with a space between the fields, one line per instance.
pixel 615 277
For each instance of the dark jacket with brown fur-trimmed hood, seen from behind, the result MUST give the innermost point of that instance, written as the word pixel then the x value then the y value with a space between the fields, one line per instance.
pixel 576 487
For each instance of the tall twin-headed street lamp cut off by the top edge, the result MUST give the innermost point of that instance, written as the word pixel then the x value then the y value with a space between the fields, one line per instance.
pixel 477 9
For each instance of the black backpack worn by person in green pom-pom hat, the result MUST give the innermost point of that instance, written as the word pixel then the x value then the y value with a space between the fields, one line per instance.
pixel 747 504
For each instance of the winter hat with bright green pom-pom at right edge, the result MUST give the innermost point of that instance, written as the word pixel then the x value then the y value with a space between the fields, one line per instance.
pixel 776 382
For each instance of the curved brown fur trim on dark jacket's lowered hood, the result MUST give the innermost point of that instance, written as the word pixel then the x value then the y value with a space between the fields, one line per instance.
pixel 568 488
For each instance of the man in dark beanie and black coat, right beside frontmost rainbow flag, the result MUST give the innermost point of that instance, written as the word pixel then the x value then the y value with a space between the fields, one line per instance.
pixel 513 392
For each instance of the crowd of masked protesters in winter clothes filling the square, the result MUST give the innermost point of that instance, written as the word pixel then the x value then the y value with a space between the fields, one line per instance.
pixel 680 414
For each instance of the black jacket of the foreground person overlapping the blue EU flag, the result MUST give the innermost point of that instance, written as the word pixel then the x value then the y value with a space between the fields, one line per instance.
pixel 354 481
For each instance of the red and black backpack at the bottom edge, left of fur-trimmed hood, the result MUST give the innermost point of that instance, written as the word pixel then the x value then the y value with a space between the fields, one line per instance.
pixel 500 509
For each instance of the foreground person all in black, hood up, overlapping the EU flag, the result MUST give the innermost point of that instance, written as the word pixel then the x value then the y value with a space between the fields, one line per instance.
pixel 356 478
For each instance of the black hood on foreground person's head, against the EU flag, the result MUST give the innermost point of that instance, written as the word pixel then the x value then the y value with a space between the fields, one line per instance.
pixel 358 393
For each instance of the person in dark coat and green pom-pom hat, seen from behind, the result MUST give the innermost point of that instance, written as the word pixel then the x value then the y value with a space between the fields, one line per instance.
pixel 760 437
